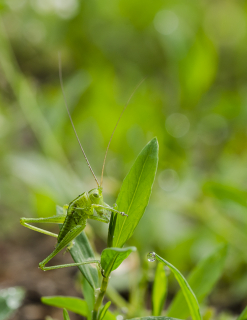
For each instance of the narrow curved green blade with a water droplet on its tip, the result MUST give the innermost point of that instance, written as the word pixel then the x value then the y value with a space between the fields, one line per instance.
pixel 186 289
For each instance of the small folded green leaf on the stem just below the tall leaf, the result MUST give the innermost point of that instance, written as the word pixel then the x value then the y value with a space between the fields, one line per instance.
pixel 111 258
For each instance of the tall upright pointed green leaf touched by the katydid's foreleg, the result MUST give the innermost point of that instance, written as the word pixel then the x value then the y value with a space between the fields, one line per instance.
pixel 134 195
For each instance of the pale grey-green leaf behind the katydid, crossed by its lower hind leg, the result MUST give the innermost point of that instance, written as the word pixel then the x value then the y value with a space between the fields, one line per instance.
pixel 82 251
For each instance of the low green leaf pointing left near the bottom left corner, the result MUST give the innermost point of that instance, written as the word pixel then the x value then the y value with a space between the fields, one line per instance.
pixel 75 305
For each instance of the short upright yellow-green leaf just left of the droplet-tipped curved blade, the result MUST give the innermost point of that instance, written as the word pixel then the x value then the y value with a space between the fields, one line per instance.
pixel 159 290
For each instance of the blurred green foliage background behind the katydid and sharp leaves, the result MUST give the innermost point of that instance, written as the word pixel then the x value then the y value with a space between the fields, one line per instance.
pixel 194 99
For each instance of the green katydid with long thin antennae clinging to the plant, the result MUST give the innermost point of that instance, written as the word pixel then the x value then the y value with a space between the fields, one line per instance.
pixel 88 205
